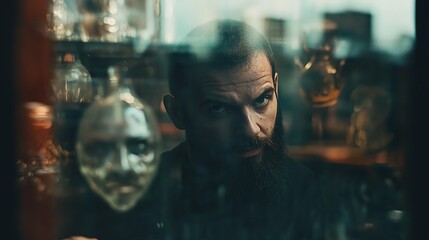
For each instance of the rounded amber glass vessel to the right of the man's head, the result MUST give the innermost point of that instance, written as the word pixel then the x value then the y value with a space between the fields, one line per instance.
pixel 321 81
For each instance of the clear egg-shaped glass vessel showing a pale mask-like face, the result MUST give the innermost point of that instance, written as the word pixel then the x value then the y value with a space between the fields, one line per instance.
pixel 118 145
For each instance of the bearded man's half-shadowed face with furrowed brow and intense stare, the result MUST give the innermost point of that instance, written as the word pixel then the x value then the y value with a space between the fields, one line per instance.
pixel 232 113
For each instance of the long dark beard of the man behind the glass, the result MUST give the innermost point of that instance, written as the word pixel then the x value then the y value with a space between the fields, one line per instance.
pixel 265 172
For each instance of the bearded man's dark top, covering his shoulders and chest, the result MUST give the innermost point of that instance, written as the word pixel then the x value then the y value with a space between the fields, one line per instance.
pixel 233 208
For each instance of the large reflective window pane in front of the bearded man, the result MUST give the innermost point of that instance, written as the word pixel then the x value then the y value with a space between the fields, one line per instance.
pixel 223 119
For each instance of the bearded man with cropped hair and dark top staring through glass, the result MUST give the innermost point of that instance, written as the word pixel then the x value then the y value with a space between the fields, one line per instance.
pixel 233 178
